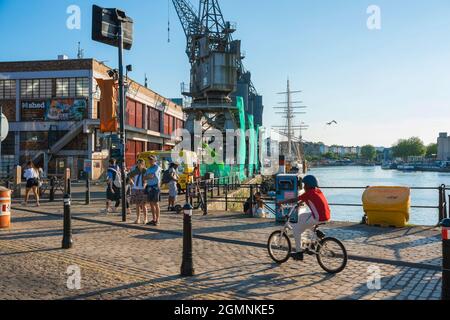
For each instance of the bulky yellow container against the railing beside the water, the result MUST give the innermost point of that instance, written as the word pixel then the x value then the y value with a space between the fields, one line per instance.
pixel 387 206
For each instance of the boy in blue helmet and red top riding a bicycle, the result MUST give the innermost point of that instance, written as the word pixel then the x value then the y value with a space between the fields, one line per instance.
pixel 320 212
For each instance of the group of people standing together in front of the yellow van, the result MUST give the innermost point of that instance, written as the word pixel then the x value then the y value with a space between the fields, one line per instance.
pixel 143 188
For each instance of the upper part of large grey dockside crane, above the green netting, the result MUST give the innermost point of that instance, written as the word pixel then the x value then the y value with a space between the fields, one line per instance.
pixel 217 72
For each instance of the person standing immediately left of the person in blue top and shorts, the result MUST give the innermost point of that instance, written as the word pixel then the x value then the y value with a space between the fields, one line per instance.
pixel 138 196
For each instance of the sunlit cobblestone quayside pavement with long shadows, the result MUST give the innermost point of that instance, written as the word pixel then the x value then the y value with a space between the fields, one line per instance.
pixel 126 261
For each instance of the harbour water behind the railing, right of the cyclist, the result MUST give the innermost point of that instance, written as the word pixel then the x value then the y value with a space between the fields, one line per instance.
pixel 375 176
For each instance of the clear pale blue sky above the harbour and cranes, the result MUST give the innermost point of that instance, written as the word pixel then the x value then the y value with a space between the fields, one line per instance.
pixel 379 85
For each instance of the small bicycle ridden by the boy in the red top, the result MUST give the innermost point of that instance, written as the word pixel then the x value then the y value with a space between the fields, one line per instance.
pixel 331 254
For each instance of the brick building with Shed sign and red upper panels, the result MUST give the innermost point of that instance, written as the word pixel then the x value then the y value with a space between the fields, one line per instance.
pixel 53 110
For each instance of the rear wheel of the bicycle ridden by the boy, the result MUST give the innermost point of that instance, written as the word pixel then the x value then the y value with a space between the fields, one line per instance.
pixel 332 255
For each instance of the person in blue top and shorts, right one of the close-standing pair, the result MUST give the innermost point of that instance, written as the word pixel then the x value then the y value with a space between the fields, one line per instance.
pixel 153 191
